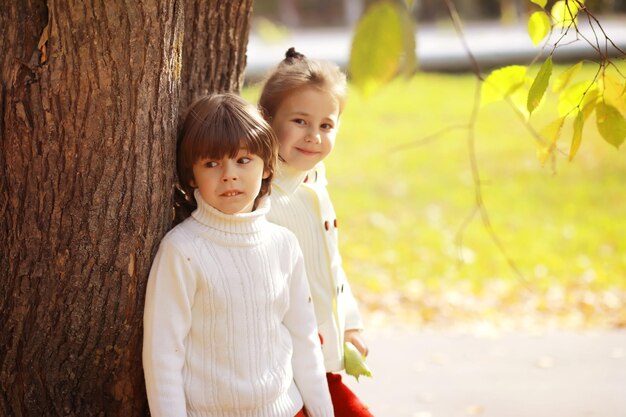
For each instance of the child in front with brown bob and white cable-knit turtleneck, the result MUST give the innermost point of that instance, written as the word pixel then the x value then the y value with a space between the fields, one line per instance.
pixel 229 326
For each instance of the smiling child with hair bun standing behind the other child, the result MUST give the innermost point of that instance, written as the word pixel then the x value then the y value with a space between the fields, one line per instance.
pixel 302 100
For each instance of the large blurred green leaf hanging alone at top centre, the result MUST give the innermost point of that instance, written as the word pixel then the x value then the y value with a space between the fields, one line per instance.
pixel 379 46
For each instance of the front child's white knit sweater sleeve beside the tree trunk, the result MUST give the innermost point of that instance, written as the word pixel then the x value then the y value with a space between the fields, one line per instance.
pixel 167 320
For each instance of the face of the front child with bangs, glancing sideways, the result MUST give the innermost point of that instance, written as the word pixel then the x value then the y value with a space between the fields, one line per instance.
pixel 230 185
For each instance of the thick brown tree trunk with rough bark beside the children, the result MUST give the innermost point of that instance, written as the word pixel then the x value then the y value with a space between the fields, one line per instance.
pixel 89 99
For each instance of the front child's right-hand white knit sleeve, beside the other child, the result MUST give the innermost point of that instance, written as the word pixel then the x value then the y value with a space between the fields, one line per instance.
pixel 307 361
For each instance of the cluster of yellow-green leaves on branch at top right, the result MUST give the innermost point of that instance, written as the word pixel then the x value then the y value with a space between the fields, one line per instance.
pixel 604 95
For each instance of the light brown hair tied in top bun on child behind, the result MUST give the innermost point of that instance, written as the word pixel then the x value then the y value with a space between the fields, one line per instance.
pixel 295 72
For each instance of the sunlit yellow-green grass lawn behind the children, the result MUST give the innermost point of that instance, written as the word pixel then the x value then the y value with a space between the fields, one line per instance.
pixel 401 204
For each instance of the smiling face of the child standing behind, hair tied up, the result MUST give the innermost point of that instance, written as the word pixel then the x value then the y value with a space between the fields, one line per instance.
pixel 306 124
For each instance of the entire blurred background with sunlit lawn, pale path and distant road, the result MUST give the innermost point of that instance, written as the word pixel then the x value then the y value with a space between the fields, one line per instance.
pixel 454 327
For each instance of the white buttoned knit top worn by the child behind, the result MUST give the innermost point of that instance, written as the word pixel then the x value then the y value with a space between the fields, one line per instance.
pixel 305 208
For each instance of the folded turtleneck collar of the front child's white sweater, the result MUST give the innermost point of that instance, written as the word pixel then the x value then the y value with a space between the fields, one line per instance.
pixel 231 224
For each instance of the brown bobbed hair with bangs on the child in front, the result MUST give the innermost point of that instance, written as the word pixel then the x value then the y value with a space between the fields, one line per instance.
pixel 219 125
